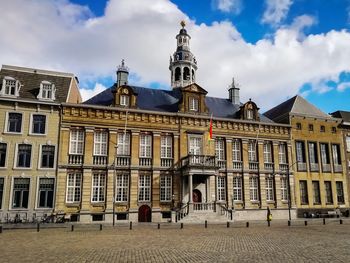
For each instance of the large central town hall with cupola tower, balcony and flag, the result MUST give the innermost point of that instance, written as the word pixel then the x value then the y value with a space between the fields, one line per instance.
pixel 135 153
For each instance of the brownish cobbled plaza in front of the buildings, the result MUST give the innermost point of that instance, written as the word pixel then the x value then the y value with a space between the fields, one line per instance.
pixel 194 243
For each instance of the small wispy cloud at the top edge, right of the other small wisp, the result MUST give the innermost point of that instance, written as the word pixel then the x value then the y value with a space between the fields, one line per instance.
pixel 276 11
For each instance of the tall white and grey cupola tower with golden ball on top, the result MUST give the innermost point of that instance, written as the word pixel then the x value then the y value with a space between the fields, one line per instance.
pixel 183 64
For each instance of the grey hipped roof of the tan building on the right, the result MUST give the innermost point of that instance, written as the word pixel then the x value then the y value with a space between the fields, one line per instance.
pixel 296 105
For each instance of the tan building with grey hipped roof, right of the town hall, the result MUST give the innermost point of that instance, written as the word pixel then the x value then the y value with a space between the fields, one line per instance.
pixel 318 157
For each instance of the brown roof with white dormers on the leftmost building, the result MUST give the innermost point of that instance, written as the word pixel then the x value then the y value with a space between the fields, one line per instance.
pixel 30 80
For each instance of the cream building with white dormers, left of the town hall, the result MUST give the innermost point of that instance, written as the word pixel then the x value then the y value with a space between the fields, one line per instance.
pixel 29 125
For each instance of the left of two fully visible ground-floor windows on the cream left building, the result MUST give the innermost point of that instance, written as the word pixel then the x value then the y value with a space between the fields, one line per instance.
pixel 20 192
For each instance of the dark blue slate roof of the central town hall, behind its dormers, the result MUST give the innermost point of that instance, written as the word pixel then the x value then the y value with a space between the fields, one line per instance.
pixel 168 101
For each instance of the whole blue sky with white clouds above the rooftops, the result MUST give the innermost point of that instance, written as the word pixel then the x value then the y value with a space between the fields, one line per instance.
pixel 274 48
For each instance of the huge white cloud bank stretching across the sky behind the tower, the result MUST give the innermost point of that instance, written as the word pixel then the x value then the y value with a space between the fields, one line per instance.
pixel 270 70
